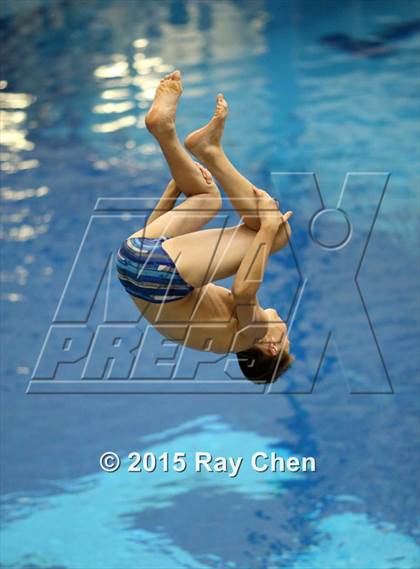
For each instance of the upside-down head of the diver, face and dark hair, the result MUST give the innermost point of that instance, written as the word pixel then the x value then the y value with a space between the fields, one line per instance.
pixel 270 356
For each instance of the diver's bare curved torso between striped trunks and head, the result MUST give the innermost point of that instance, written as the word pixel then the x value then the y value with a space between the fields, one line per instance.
pixel 204 320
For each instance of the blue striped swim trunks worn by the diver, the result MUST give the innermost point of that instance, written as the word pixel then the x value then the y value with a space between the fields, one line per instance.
pixel 146 271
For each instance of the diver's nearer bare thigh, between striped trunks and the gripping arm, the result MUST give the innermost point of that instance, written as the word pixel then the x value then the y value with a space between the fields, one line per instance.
pixel 212 254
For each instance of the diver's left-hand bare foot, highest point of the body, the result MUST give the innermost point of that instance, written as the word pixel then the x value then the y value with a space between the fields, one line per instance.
pixel 161 116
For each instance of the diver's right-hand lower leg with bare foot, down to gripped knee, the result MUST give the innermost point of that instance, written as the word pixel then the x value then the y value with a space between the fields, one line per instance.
pixel 206 145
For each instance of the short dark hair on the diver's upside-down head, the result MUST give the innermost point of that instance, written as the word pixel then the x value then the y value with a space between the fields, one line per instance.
pixel 261 368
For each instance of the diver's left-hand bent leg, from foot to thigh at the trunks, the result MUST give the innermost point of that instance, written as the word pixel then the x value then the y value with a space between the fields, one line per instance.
pixel 202 196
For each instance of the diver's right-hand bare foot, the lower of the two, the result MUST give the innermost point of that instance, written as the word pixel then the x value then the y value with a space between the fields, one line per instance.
pixel 208 140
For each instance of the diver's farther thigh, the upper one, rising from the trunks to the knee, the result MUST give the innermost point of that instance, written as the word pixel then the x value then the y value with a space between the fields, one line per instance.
pixel 191 215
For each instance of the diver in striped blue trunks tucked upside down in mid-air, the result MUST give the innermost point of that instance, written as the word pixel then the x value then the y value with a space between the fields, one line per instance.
pixel 170 266
